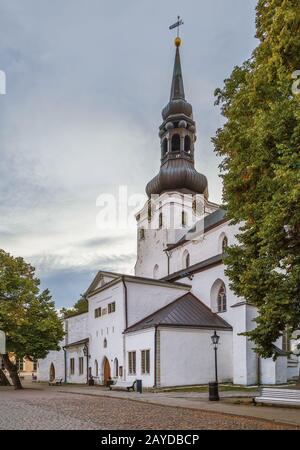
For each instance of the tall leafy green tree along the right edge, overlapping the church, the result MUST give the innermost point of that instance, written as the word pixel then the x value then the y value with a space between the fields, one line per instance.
pixel 260 146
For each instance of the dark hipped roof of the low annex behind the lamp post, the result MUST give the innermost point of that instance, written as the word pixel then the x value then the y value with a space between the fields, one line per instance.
pixel 186 311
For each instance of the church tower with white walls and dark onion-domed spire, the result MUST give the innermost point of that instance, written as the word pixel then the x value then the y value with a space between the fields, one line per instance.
pixel 178 194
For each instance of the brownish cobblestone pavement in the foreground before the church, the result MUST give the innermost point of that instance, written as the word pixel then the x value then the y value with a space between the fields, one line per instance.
pixel 49 409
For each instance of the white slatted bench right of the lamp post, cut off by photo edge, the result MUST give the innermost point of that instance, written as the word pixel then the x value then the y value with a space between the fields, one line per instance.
pixel 278 396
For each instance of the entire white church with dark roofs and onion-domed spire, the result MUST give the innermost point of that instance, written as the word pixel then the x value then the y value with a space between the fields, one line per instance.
pixel 156 325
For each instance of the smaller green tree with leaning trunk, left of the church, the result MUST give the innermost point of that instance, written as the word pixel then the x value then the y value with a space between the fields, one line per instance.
pixel 27 315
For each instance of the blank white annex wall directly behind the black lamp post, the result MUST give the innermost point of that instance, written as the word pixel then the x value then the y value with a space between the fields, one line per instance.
pixel 187 356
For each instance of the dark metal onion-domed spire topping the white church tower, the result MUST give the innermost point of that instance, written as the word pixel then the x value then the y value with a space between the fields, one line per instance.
pixel 177 134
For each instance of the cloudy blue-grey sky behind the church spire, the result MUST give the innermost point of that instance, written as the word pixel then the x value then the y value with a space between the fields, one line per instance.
pixel 85 85
